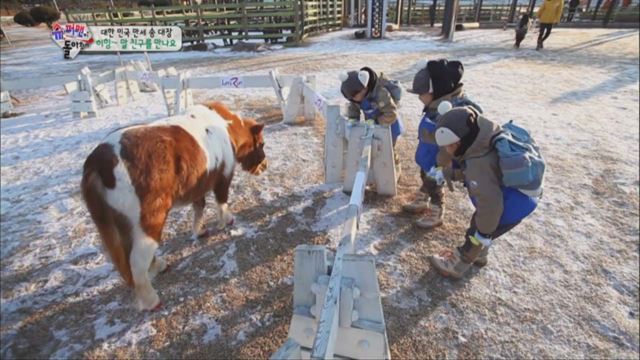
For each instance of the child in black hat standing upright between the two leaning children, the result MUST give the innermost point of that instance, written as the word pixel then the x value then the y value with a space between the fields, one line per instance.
pixel 436 81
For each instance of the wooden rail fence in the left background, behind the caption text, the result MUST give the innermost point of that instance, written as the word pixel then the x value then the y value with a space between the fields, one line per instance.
pixel 287 20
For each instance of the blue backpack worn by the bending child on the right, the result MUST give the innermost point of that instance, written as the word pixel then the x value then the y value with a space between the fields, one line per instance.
pixel 520 160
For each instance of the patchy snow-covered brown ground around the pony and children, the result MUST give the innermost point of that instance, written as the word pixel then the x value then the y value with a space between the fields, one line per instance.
pixel 564 284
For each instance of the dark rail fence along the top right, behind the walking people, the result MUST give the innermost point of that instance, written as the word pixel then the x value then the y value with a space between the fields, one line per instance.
pixel 417 12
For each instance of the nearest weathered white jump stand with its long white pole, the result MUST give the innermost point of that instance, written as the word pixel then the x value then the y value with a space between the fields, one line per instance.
pixel 338 315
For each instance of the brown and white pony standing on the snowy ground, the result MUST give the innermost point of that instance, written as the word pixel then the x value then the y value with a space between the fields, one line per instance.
pixel 137 174
